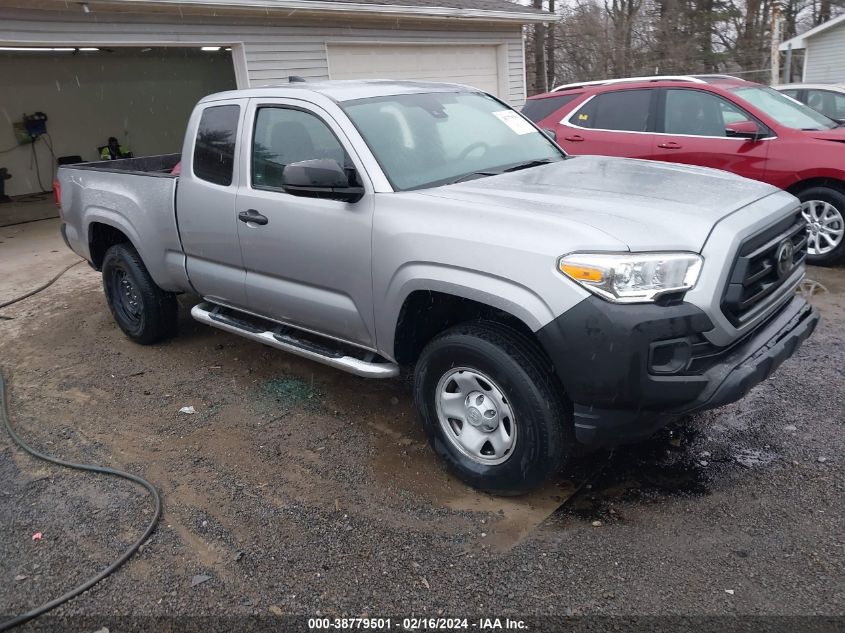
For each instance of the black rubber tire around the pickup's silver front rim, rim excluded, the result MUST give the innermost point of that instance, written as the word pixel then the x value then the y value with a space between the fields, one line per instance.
pixel 542 417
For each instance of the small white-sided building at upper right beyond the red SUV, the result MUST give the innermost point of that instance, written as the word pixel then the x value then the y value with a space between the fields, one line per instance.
pixel 824 52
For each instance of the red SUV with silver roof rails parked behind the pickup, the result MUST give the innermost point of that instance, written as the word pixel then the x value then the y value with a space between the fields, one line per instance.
pixel 713 121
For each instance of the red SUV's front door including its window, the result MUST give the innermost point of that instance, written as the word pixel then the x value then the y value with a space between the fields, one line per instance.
pixel 693 128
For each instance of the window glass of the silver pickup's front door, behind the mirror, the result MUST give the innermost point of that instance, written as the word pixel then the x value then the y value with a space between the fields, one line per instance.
pixel 287 135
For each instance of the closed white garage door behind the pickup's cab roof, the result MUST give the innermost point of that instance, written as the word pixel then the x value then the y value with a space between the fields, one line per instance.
pixel 472 65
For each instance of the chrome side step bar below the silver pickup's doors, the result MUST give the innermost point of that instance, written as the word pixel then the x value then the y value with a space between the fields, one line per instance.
pixel 284 338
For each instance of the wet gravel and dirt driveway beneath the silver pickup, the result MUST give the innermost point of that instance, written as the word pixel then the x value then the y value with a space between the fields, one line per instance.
pixel 297 489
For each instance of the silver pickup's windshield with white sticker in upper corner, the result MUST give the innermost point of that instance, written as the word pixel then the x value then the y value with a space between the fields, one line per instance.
pixel 430 139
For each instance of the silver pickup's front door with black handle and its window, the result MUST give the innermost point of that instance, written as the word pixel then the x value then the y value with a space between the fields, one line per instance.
pixel 307 259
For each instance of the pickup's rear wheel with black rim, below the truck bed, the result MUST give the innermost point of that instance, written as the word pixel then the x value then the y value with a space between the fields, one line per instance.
pixel 146 313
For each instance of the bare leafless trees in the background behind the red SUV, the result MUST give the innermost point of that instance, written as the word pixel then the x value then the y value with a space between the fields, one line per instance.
pixel 597 39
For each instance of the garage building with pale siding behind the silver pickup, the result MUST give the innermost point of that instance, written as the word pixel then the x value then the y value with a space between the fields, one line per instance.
pixel 133 69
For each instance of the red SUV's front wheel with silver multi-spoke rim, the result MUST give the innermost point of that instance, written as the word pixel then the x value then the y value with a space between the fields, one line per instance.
pixel 824 210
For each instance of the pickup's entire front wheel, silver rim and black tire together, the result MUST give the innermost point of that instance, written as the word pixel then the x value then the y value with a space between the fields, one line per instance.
pixel 492 409
